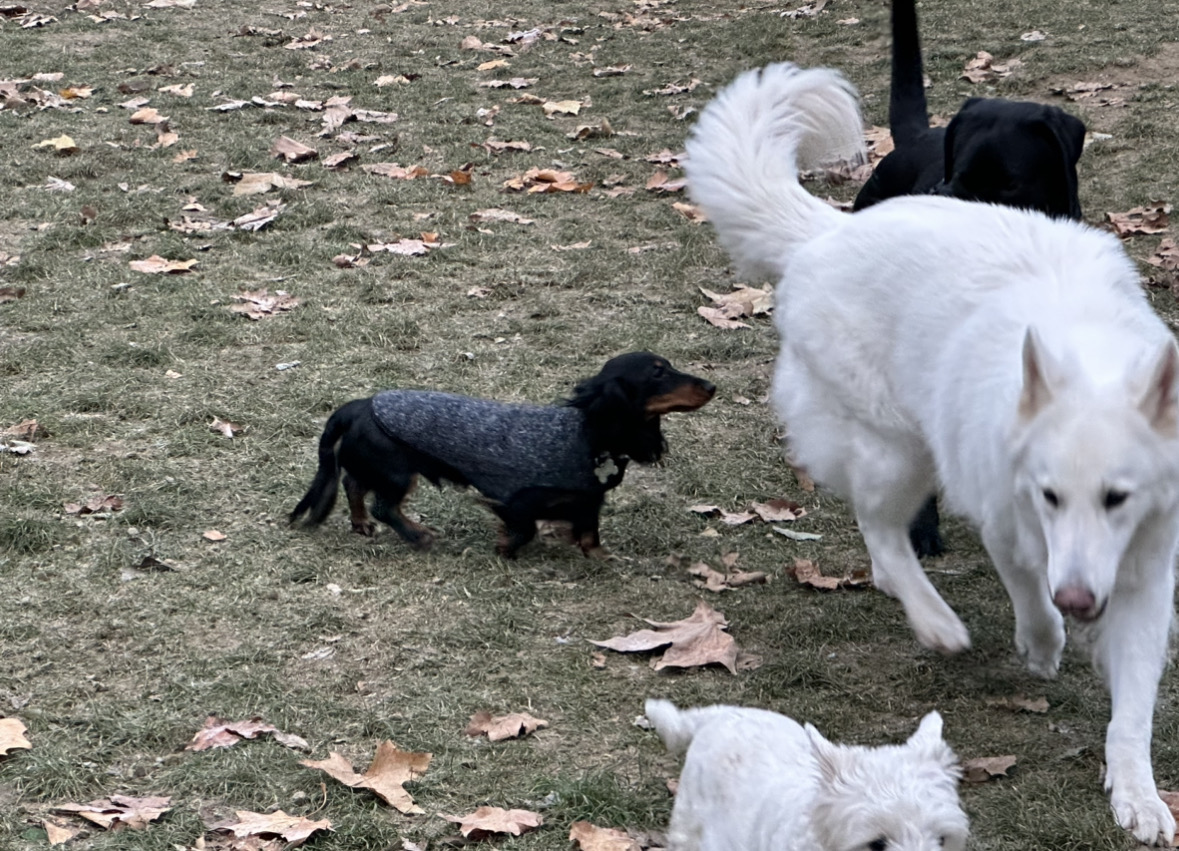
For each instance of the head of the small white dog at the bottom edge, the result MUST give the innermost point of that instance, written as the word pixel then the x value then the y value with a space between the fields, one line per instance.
pixel 891 799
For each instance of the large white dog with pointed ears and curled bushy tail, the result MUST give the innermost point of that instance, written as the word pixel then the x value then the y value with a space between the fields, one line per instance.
pixel 1006 358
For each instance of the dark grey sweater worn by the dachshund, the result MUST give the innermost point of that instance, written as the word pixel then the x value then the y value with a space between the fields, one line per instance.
pixel 500 448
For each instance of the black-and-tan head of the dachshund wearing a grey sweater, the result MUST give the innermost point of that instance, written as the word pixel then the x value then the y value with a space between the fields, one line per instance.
pixel 623 404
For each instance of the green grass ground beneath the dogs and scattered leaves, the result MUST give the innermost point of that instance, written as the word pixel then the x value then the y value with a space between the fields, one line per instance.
pixel 115 670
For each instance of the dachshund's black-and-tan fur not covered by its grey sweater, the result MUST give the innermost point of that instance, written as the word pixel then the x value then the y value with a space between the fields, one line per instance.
pixel 621 411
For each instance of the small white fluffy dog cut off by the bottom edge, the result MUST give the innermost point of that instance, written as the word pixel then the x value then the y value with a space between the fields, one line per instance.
pixel 755 781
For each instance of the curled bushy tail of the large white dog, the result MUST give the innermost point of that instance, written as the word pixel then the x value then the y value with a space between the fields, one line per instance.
pixel 747 150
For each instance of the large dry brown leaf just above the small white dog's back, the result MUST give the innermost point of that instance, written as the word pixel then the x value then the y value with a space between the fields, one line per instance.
pixel 696 641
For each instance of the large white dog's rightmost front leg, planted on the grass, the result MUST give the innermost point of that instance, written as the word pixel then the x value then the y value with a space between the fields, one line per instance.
pixel 1131 651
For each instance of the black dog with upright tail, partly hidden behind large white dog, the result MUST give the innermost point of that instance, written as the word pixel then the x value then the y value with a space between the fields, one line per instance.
pixel 998 151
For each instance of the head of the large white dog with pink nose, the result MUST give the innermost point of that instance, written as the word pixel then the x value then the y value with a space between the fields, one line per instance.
pixel 1094 466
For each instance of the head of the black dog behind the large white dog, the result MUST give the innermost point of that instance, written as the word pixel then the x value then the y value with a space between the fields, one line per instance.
pixel 1015 154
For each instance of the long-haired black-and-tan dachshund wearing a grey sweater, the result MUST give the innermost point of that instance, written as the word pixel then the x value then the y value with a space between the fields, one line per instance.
pixel 530 463
